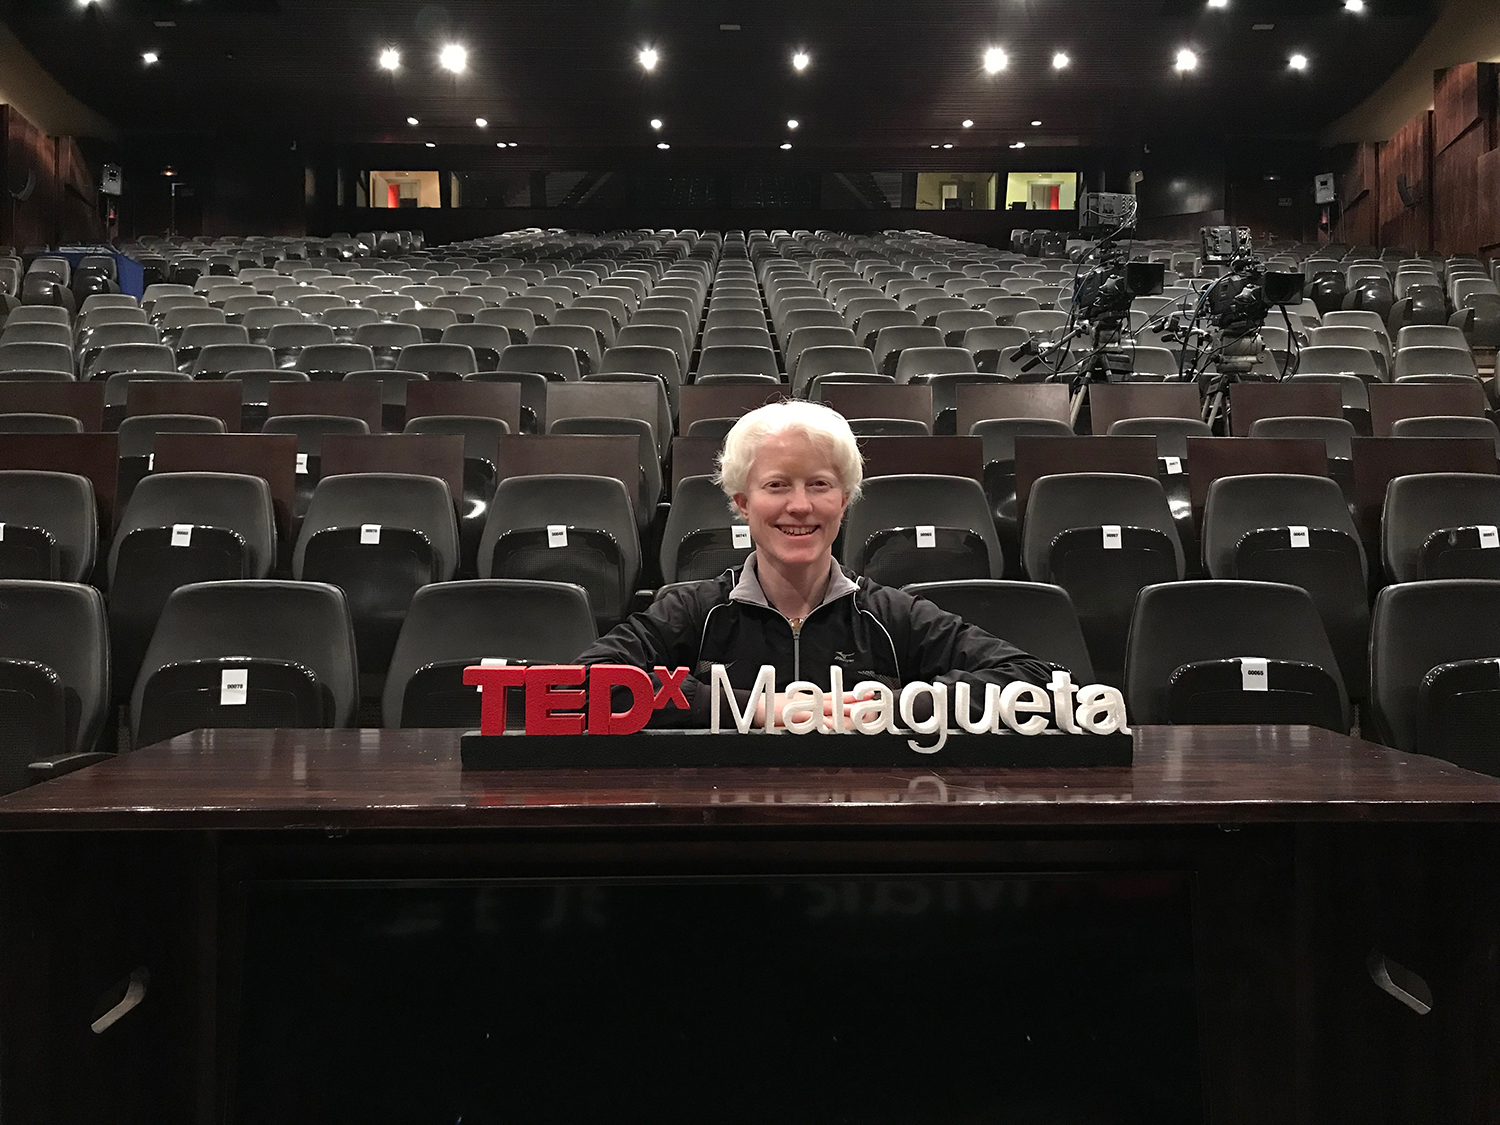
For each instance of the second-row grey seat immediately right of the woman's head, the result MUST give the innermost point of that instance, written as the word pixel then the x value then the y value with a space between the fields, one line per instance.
pixel 920 527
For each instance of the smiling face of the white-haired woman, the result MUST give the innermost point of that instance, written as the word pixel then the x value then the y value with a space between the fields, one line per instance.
pixel 794 503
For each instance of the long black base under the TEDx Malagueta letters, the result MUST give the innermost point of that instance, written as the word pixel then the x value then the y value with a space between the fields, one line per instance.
pixel 674 749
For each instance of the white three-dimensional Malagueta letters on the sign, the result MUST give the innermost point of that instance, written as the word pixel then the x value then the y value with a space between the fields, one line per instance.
pixel 1022 709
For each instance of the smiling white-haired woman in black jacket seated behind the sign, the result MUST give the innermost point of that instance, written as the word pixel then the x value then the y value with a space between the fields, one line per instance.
pixel 791 470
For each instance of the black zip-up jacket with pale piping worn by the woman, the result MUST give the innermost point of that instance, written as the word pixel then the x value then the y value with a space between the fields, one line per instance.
pixel 872 632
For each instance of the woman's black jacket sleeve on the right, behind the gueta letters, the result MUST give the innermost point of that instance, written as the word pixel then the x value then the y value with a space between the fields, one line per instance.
pixel 944 649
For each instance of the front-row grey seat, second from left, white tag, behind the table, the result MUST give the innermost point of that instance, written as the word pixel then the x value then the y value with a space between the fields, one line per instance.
pixel 248 655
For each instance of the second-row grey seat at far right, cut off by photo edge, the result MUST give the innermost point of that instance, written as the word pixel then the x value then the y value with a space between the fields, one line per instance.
pixel 1441 526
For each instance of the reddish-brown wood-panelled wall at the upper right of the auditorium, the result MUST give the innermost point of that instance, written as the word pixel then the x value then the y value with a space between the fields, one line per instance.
pixel 1450 158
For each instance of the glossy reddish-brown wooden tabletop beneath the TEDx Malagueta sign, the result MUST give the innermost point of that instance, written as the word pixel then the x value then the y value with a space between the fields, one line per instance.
pixel 394 779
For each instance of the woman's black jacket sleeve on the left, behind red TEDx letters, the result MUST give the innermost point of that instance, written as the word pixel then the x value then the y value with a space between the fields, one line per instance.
pixel 667 634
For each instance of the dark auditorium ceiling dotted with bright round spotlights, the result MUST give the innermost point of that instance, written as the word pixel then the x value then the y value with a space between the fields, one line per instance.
pixel 551 74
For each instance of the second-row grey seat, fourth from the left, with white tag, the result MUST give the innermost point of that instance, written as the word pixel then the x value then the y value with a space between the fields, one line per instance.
pixel 566 529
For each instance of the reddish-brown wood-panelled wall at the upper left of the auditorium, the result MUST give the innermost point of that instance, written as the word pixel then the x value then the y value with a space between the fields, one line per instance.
pixel 64 203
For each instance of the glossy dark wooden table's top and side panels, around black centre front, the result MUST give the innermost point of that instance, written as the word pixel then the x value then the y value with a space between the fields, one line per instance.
pixel 1307 851
